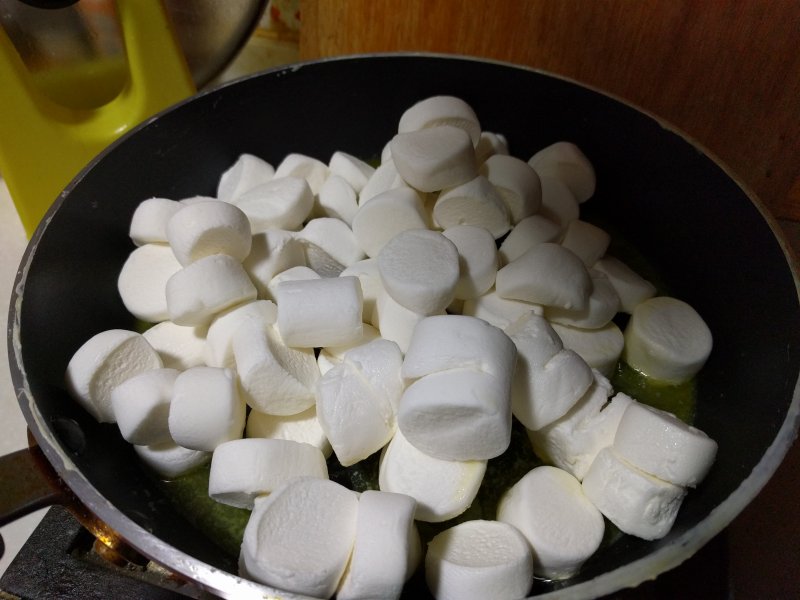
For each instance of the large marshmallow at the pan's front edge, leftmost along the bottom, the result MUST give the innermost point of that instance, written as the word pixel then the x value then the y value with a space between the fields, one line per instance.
pixel 300 537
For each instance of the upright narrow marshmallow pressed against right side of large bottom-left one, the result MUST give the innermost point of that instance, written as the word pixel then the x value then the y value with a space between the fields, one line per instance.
pixel 385 550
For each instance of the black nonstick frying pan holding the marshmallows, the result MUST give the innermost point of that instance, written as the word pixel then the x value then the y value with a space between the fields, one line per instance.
pixel 713 243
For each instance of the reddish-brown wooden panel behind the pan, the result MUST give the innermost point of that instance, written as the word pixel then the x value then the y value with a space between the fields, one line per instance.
pixel 727 72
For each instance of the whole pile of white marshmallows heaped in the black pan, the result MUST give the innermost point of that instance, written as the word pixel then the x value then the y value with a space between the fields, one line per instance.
pixel 317 308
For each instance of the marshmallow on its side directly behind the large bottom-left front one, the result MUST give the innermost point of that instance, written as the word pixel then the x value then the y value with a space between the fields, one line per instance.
pixel 243 469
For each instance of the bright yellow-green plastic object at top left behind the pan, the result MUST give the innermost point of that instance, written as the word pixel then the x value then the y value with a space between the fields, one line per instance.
pixel 43 144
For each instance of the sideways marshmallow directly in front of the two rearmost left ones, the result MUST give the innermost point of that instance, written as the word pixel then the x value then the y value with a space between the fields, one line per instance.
pixel 281 203
